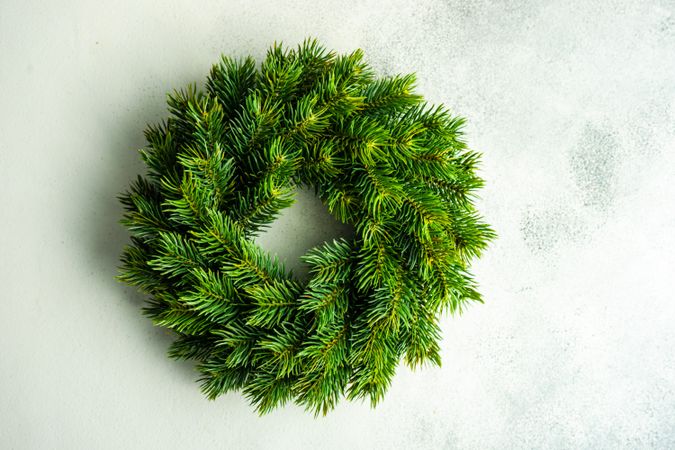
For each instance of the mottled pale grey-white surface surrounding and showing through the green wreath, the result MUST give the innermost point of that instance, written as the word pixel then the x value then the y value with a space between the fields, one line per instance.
pixel 572 104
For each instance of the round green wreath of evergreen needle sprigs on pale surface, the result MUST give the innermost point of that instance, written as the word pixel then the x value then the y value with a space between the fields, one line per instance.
pixel 227 161
